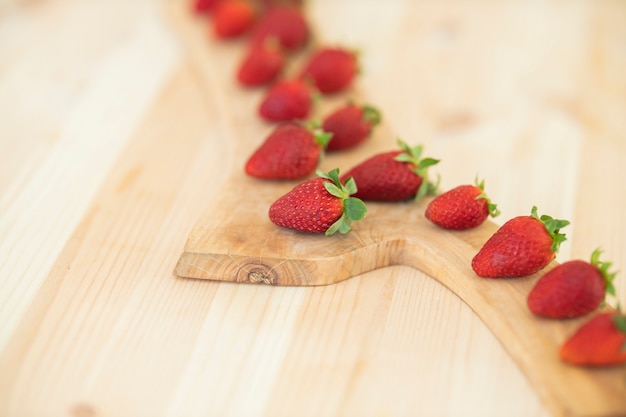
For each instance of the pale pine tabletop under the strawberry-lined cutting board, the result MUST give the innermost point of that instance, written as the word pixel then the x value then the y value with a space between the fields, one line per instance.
pixel 115 145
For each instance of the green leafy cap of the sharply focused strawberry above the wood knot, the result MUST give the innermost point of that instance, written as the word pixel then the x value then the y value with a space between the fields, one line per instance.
pixel 354 209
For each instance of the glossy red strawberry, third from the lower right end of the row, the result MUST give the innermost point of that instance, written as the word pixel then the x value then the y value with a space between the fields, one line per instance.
pixel 520 247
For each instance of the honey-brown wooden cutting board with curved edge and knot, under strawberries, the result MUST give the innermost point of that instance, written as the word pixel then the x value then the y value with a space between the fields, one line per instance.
pixel 235 241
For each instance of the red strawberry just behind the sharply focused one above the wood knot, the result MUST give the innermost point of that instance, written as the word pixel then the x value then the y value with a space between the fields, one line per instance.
pixel 291 151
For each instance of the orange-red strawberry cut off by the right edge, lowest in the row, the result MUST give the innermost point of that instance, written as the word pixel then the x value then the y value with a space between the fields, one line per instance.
pixel 601 341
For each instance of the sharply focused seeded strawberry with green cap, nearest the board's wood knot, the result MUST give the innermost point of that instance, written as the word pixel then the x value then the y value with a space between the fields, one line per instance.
pixel 319 205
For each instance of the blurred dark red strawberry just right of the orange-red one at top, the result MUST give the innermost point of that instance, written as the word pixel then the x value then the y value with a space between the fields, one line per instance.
pixel 286 24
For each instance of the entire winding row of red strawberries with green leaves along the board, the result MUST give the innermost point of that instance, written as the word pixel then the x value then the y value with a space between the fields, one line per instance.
pixel 329 203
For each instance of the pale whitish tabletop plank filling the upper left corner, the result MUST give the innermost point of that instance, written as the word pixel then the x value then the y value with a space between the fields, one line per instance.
pixel 63 136
